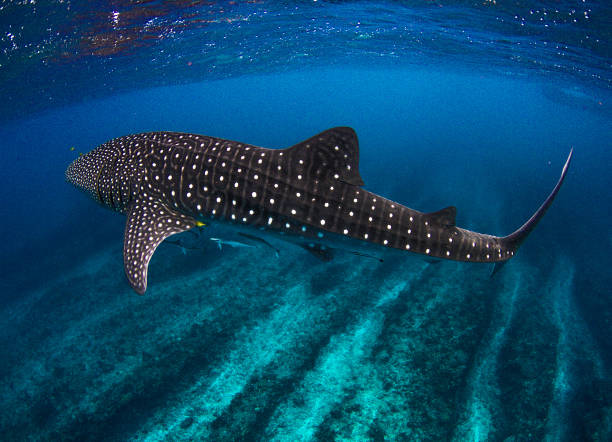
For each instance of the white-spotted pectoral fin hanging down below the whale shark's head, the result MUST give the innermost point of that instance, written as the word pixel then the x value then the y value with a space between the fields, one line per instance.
pixel 148 224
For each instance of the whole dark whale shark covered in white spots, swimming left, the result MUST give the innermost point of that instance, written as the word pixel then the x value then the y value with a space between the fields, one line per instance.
pixel 310 194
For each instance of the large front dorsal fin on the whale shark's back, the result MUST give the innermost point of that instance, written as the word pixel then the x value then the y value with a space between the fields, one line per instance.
pixel 333 154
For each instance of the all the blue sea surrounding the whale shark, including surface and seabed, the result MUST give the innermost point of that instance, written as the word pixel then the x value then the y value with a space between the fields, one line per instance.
pixel 472 105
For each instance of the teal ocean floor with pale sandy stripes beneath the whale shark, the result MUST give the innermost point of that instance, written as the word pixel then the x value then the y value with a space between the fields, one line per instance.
pixel 241 345
